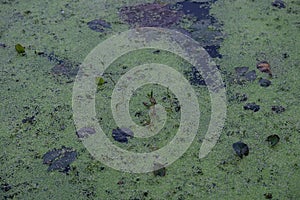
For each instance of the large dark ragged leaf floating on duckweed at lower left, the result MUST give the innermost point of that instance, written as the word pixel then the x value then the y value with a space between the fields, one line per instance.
pixel 59 159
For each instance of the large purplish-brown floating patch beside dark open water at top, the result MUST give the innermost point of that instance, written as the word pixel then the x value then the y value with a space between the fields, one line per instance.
pixel 150 15
